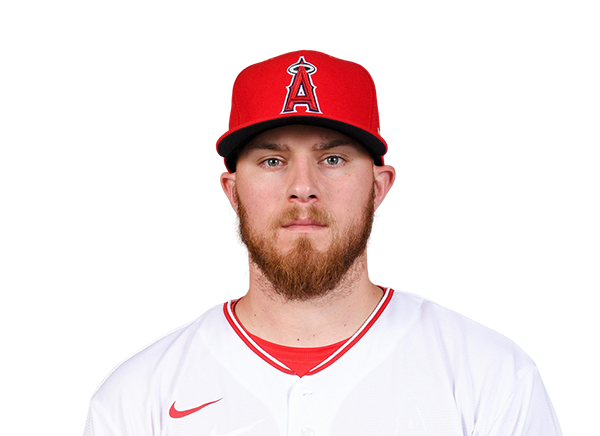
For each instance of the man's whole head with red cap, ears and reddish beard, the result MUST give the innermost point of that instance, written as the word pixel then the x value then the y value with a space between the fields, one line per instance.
pixel 304 153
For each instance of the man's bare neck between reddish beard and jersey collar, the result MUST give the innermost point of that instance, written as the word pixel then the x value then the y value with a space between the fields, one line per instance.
pixel 314 323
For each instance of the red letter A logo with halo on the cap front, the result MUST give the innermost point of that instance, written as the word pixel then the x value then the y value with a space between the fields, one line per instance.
pixel 301 90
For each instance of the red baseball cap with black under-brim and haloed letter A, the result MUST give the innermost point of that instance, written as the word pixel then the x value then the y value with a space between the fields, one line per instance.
pixel 303 88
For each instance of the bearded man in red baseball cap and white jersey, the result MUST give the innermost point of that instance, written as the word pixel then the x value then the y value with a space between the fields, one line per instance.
pixel 313 347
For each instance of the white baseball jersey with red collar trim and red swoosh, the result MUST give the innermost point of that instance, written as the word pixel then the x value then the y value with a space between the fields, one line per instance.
pixel 413 368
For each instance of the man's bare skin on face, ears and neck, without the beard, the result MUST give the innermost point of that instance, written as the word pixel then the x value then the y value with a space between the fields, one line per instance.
pixel 338 182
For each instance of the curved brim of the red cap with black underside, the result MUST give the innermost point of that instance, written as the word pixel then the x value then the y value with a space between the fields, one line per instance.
pixel 230 144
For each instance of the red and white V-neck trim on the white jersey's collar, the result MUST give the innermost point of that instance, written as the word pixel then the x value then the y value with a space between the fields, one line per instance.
pixel 245 336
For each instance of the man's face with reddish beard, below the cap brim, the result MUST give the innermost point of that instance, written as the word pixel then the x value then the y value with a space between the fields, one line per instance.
pixel 305 197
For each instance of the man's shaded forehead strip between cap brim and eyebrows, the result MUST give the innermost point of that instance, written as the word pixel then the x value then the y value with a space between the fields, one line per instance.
pixel 293 137
